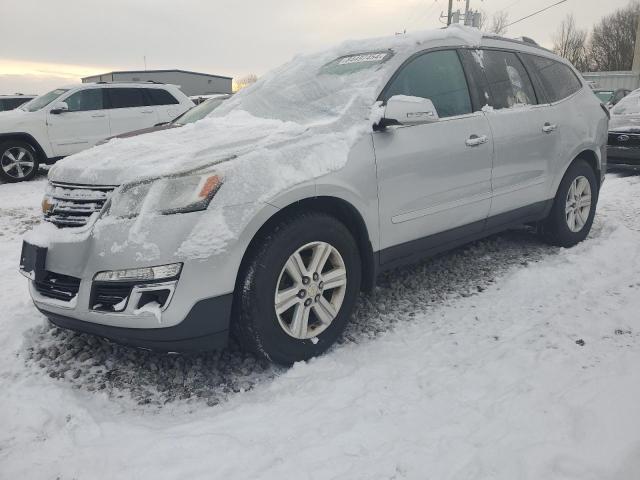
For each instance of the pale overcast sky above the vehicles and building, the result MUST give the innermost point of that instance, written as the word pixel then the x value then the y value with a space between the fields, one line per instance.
pixel 45 43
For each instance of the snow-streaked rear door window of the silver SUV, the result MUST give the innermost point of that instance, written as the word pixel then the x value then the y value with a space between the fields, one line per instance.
pixel 508 83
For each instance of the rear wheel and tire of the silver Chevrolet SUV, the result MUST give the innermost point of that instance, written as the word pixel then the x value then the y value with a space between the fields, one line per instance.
pixel 568 224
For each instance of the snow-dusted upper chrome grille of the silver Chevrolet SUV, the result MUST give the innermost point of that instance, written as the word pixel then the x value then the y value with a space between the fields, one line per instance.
pixel 72 205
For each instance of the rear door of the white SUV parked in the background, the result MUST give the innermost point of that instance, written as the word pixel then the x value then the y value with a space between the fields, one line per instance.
pixel 130 110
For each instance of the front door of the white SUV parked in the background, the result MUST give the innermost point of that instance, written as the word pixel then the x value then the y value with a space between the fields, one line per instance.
pixel 82 126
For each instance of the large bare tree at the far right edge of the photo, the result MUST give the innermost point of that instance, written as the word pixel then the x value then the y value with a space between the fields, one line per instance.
pixel 613 39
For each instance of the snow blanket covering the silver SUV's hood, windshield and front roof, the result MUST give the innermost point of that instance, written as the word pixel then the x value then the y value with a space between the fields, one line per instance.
pixel 294 114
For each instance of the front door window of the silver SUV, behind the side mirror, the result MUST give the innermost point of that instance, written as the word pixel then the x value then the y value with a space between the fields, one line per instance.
pixel 437 76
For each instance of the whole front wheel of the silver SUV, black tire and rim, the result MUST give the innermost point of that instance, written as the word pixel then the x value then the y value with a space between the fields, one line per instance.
pixel 270 270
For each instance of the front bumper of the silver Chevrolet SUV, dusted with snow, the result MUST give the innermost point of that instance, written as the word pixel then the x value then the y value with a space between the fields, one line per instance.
pixel 197 317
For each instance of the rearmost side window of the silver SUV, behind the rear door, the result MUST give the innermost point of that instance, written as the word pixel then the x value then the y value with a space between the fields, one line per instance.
pixel 557 79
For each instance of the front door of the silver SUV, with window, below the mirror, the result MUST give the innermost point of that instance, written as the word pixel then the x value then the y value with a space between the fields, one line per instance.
pixel 435 177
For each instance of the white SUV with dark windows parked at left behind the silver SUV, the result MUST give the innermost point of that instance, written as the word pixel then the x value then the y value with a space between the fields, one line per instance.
pixel 71 119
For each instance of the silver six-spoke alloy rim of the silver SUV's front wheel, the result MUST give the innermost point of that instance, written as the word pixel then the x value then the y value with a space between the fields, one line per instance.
pixel 310 290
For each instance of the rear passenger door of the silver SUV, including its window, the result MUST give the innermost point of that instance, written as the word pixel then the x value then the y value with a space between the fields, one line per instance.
pixel 524 136
